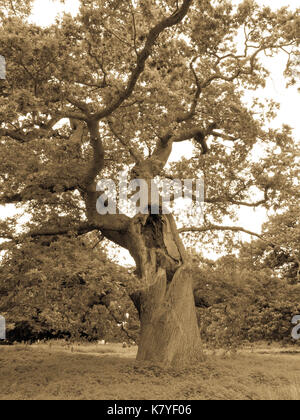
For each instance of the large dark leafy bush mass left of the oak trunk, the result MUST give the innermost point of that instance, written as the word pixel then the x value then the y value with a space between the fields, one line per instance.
pixel 64 288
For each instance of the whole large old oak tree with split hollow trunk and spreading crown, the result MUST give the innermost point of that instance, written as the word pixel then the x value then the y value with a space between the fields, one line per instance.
pixel 115 88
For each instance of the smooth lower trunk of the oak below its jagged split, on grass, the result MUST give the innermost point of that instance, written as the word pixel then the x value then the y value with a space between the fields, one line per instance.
pixel 169 329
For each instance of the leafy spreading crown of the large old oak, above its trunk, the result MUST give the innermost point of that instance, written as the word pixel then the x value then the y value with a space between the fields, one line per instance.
pixel 152 74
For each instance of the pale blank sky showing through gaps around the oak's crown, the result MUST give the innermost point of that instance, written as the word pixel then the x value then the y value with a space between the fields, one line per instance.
pixel 45 12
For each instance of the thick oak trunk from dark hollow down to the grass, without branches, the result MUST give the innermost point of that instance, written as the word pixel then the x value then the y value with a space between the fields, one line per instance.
pixel 169 329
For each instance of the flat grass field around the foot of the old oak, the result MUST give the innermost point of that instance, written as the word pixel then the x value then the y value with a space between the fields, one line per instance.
pixel 79 372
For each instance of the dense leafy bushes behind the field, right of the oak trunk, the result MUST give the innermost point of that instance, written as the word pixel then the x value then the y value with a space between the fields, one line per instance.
pixel 238 304
